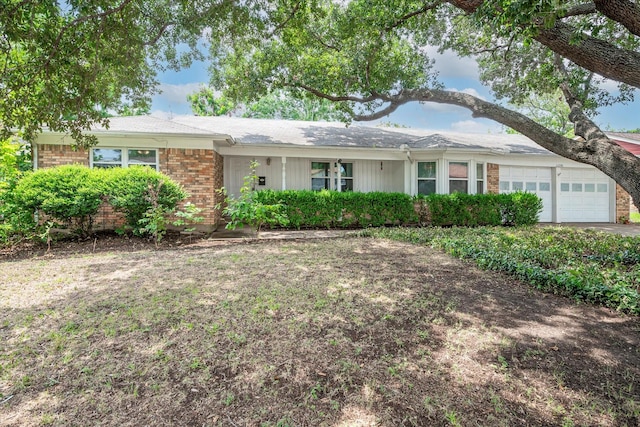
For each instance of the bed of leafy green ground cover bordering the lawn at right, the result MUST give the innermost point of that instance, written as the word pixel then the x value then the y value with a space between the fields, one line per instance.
pixel 589 266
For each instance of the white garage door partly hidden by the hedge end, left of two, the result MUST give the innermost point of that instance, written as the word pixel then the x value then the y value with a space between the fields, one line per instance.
pixel 533 180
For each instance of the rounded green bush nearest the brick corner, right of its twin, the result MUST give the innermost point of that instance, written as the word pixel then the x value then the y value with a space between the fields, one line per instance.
pixel 136 190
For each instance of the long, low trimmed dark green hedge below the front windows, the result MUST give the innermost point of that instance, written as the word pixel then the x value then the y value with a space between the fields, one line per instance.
pixel 331 209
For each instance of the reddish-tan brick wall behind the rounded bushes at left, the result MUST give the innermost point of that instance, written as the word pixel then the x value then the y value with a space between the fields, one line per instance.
pixel 199 171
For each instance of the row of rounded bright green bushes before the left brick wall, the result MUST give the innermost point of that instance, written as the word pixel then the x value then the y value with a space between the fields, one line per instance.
pixel 70 196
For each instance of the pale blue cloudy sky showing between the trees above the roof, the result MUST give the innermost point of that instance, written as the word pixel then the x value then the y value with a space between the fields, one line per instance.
pixel 455 72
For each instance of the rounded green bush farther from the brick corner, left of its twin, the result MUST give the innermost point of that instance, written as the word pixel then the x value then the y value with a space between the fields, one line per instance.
pixel 68 195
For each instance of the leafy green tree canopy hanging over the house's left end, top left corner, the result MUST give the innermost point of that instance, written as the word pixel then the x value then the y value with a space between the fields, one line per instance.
pixel 63 64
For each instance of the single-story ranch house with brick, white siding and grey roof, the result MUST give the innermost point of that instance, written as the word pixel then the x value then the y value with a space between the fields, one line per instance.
pixel 207 153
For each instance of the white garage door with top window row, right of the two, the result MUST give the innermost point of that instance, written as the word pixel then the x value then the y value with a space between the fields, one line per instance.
pixel 584 196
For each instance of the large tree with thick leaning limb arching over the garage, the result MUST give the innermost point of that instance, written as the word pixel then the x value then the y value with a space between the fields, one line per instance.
pixel 370 56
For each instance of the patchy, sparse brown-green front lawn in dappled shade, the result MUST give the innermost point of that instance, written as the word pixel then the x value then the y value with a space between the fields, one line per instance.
pixel 337 332
